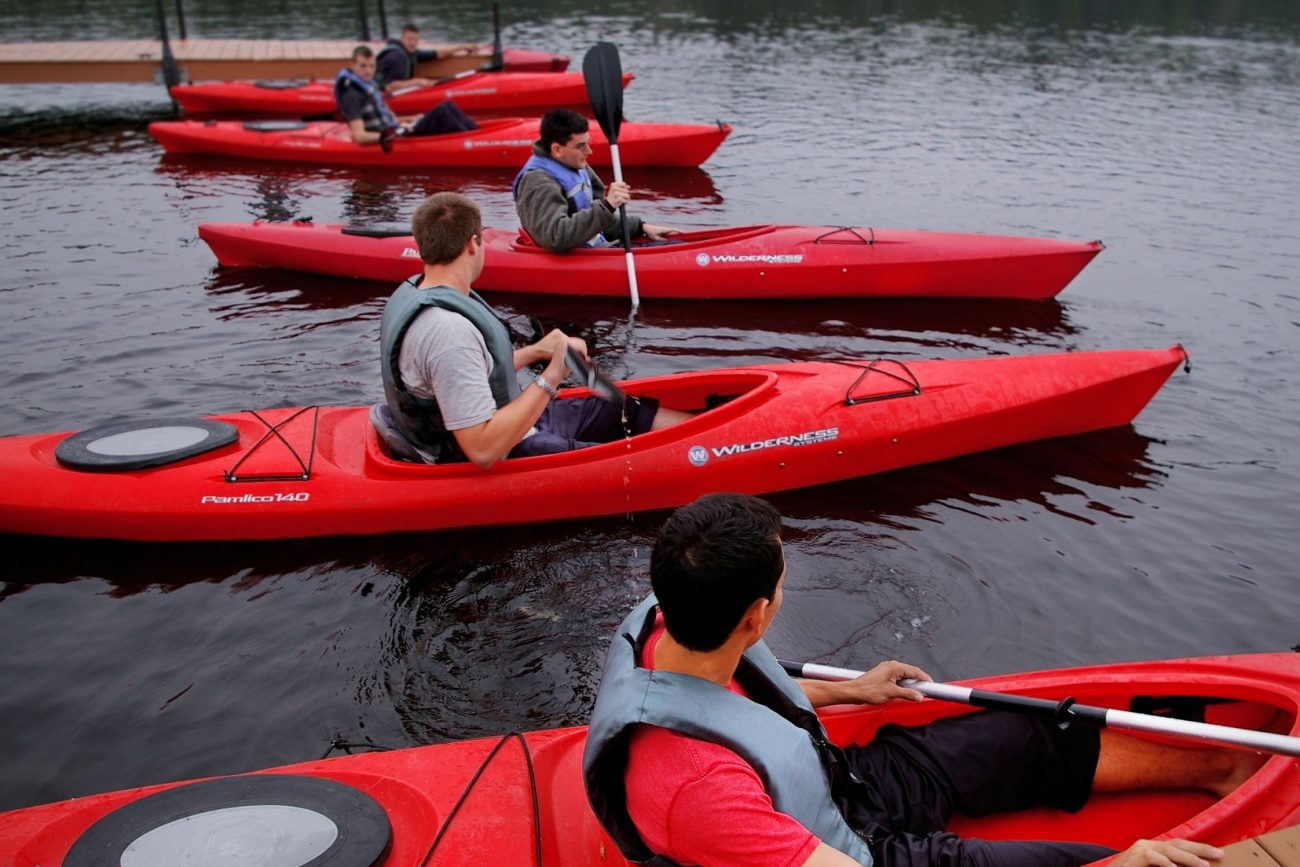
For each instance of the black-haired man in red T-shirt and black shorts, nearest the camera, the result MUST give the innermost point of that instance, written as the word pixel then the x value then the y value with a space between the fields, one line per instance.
pixel 683 738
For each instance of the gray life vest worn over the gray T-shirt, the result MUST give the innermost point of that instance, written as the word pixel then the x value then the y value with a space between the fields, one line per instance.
pixel 419 419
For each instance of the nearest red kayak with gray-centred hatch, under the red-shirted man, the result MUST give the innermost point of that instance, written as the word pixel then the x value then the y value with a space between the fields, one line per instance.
pixel 528 805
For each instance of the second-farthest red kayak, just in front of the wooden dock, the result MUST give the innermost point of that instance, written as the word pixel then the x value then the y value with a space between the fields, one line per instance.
pixel 474 92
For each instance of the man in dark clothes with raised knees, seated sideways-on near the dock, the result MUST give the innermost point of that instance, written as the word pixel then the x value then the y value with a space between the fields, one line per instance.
pixel 361 102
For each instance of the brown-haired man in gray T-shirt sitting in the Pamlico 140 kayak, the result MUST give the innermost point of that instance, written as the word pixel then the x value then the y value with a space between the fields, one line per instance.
pixel 450 380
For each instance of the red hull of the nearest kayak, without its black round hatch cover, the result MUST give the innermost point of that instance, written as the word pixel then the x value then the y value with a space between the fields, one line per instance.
pixel 419 787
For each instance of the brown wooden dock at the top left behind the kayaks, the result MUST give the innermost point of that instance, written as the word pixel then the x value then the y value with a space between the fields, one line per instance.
pixel 31 63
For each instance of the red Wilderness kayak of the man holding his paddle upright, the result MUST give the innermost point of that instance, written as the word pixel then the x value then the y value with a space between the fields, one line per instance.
pixel 726 263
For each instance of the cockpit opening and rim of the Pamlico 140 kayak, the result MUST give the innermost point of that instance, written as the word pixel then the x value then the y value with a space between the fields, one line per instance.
pixel 714 397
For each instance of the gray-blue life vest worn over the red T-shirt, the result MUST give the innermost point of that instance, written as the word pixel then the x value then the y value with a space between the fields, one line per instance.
pixel 777 732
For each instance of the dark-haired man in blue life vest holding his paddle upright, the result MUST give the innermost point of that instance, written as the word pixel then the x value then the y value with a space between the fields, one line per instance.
pixel 562 203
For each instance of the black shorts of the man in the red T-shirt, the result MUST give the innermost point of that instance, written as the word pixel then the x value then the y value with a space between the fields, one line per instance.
pixel 977 765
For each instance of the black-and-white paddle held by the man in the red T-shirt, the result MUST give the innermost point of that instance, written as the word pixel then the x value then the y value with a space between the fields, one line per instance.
pixel 1068 712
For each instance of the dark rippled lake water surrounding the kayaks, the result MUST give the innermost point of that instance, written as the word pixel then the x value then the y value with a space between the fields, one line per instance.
pixel 1169 131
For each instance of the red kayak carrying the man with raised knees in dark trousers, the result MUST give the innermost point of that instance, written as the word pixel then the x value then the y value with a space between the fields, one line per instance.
pixel 506 142
